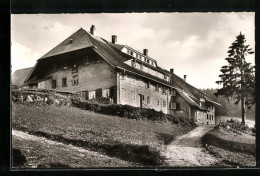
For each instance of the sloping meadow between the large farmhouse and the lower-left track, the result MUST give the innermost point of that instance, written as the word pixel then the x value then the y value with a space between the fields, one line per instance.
pixel 129 140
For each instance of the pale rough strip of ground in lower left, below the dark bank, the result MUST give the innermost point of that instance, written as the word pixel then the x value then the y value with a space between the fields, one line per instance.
pixel 39 150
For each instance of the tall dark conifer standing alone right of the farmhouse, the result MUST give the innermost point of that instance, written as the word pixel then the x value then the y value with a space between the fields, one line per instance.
pixel 238 78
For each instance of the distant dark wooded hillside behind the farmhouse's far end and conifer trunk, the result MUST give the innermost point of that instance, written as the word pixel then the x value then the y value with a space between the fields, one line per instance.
pixel 229 108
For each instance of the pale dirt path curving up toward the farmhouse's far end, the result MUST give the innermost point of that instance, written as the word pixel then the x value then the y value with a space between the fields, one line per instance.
pixel 187 150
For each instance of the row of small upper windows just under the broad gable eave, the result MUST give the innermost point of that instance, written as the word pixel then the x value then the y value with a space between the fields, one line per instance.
pixel 86 61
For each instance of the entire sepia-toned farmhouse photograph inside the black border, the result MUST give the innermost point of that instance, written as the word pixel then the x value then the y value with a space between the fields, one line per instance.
pixel 133 90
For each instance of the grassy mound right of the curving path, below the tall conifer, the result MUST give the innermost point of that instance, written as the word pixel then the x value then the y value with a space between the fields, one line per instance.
pixel 235 149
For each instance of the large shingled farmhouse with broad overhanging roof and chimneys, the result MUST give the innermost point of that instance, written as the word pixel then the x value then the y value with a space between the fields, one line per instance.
pixel 94 67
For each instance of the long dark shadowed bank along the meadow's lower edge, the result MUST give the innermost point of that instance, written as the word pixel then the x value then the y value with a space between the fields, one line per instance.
pixel 133 153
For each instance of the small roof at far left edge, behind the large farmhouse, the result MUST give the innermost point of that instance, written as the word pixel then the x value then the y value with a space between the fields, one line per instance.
pixel 19 76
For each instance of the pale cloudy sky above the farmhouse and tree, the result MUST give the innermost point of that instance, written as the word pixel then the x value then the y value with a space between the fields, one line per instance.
pixel 193 44
